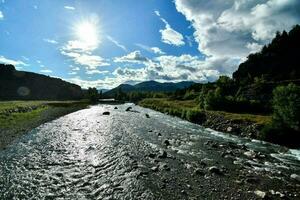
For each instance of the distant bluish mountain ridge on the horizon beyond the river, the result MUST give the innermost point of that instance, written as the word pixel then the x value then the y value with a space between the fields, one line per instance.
pixel 149 86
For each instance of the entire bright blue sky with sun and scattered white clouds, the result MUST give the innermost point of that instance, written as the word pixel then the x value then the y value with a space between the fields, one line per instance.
pixel 103 43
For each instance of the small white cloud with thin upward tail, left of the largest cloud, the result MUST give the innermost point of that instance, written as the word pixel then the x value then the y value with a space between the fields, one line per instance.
pixel 169 35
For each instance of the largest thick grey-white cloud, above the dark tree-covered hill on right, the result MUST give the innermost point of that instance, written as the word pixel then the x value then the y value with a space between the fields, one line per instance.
pixel 228 27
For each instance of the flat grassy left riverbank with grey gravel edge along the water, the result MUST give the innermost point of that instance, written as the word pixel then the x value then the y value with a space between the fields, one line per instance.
pixel 18 117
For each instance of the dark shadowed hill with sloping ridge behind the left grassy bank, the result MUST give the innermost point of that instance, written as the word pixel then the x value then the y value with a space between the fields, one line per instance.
pixel 20 85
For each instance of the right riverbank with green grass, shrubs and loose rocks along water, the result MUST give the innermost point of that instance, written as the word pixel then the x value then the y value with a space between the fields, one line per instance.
pixel 246 125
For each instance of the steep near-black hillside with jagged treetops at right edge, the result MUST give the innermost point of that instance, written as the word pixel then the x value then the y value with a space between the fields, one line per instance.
pixel 277 61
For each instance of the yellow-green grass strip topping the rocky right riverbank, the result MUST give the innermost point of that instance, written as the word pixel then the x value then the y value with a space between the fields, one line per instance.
pixel 181 107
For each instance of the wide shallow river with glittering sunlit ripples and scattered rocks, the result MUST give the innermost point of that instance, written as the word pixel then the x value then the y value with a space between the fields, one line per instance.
pixel 125 155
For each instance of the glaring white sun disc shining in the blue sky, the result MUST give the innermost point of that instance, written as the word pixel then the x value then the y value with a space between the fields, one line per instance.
pixel 87 32
